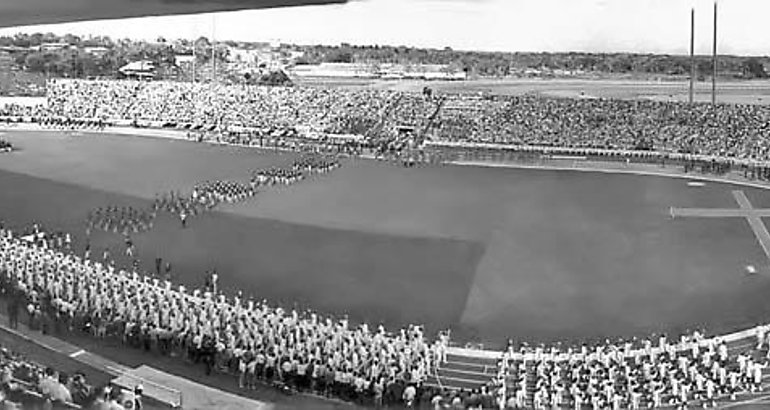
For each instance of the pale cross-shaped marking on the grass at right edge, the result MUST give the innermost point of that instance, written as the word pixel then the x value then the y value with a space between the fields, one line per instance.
pixel 752 215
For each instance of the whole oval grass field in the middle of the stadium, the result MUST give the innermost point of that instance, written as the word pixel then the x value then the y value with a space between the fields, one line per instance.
pixel 491 253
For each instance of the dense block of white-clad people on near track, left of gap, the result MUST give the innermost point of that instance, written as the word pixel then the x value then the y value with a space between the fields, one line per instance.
pixel 252 341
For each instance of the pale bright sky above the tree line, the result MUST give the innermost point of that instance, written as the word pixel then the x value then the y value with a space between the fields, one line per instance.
pixel 644 26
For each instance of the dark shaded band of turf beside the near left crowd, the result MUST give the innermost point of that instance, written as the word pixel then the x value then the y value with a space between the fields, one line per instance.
pixel 373 277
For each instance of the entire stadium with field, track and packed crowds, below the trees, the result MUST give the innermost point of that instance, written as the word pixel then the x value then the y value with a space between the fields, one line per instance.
pixel 481 244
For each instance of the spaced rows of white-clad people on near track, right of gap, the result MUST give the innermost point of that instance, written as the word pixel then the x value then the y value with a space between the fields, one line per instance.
pixel 635 374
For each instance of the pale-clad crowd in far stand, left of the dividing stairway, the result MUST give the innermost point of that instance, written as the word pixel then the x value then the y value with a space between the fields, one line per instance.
pixel 266 112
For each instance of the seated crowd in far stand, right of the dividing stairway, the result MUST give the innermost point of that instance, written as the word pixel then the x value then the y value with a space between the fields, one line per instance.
pixel 725 130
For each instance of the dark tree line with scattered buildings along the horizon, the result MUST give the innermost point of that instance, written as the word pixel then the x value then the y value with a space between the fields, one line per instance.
pixel 77 61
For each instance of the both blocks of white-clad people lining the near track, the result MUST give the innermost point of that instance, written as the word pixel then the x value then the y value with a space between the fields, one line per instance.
pixel 305 351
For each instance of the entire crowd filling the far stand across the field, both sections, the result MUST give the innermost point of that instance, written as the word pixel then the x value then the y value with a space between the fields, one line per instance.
pixel 725 130
